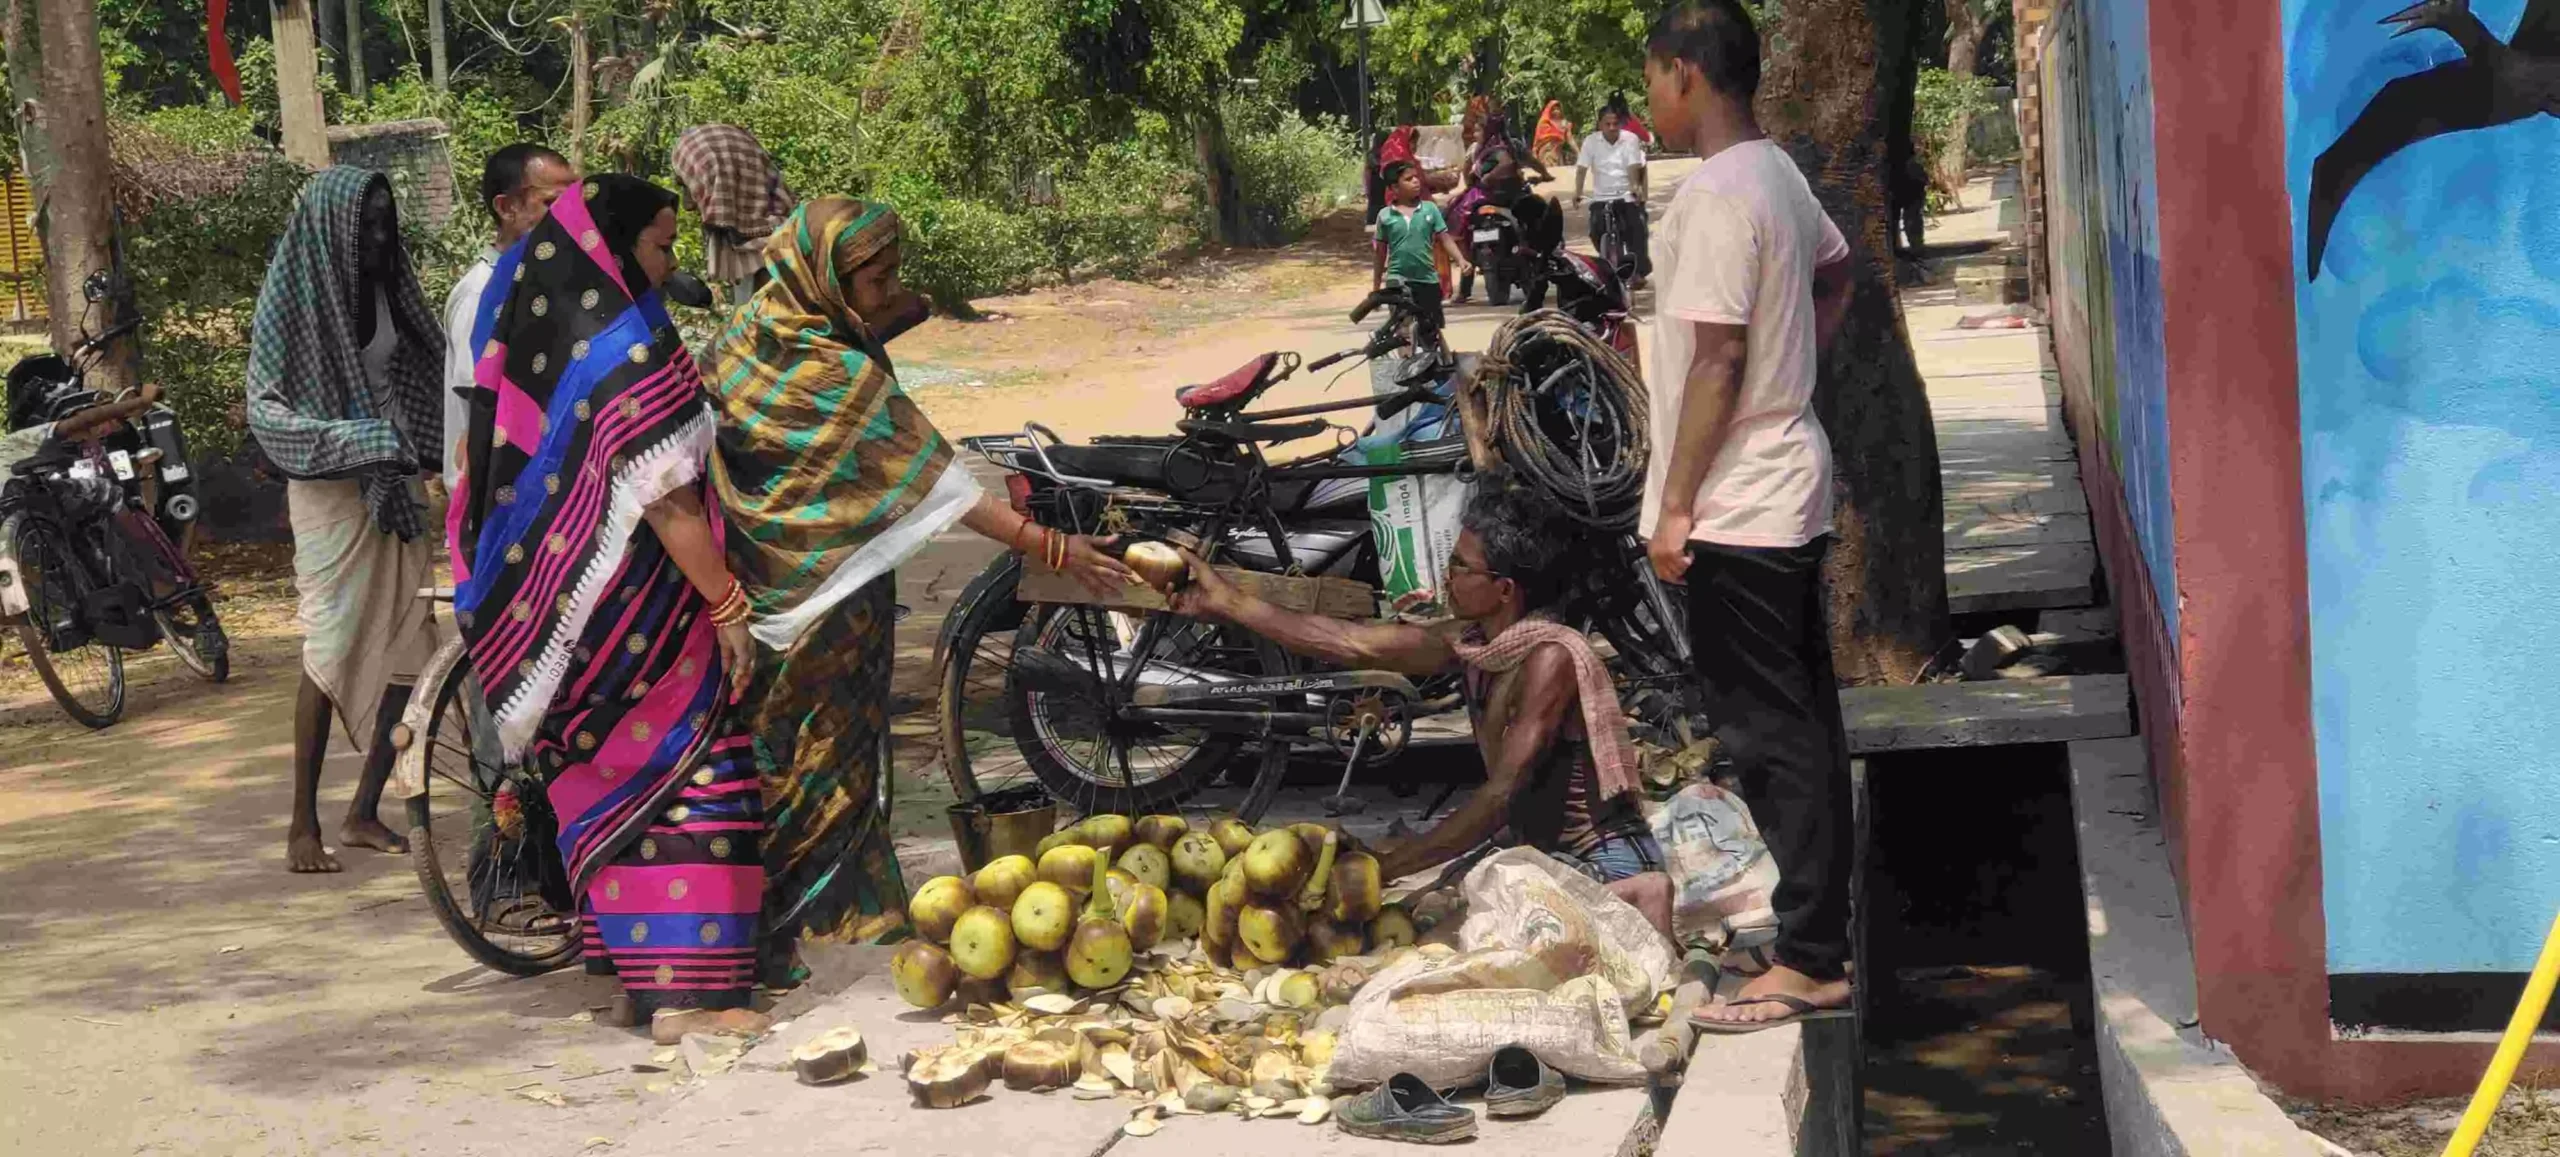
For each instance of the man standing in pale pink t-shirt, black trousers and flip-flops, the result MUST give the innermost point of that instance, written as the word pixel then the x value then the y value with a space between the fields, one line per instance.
pixel 1752 280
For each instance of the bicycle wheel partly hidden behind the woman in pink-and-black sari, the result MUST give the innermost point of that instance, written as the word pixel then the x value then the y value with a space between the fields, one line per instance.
pixel 490 866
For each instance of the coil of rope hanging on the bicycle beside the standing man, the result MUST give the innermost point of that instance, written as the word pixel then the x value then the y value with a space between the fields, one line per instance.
pixel 1565 413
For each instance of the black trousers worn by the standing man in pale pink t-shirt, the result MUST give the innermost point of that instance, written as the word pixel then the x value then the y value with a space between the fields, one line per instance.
pixel 1763 644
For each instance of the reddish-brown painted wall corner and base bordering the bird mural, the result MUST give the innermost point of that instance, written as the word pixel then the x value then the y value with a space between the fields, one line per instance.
pixel 2239 777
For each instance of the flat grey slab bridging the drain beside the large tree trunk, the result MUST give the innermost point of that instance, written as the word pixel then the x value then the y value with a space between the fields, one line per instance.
pixel 1985 715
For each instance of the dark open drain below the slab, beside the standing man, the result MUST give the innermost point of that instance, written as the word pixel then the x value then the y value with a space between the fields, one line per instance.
pixel 1978 959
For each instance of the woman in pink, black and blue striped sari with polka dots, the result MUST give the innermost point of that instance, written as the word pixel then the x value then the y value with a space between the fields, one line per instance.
pixel 603 621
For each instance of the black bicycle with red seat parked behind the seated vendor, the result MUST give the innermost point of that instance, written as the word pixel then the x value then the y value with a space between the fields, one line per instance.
pixel 1115 710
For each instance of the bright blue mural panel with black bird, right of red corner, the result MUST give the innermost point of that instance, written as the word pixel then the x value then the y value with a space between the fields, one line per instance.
pixel 2428 193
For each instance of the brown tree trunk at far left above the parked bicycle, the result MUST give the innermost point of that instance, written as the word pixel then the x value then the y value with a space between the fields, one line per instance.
pixel 76 196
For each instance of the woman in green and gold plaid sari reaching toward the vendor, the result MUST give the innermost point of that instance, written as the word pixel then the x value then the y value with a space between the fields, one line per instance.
pixel 831 477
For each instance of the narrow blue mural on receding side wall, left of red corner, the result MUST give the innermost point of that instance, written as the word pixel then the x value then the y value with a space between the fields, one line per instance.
pixel 2103 198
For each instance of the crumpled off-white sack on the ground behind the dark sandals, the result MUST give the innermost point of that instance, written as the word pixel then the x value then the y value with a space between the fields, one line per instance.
pixel 1550 961
